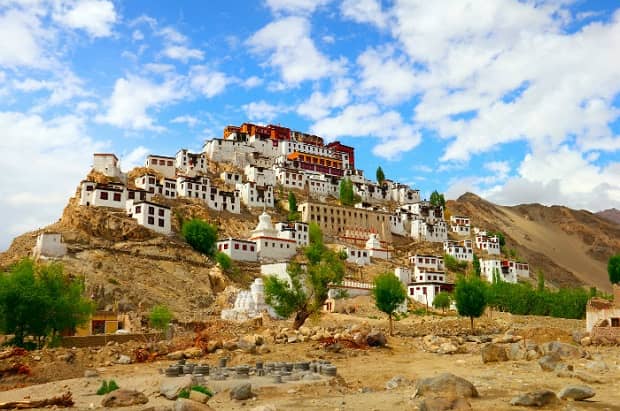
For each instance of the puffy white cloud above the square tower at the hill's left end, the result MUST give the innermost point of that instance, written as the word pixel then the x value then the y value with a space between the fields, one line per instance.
pixel 134 96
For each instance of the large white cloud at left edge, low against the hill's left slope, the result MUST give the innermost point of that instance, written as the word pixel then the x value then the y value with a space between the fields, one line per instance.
pixel 58 154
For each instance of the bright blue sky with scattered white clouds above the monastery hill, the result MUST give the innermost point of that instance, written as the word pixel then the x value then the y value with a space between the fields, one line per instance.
pixel 517 101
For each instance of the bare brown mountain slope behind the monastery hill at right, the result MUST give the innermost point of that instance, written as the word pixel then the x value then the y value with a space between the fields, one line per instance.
pixel 570 246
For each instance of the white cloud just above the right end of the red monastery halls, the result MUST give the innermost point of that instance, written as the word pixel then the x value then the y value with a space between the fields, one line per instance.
pixel 366 120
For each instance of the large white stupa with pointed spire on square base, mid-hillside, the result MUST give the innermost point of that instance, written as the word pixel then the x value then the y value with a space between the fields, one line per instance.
pixel 268 243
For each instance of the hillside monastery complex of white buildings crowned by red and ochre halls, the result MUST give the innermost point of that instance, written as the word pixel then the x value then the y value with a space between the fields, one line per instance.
pixel 253 164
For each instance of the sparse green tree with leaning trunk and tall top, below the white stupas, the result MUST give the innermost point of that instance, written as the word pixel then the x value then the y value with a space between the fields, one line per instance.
pixel 307 289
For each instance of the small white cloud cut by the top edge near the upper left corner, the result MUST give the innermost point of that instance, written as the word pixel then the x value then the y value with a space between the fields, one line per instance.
pixel 96 17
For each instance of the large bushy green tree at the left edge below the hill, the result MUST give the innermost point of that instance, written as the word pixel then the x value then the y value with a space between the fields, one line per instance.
pixel 40 301
